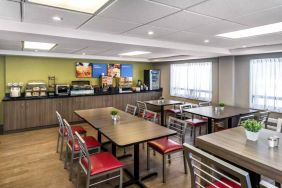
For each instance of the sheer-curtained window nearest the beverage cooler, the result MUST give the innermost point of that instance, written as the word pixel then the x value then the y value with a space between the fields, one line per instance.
pixel 191 80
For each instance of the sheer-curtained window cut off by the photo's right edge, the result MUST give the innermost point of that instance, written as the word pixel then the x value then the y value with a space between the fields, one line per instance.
pixel 266 84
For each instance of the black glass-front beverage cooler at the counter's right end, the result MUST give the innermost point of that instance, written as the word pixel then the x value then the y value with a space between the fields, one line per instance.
pixel 152 79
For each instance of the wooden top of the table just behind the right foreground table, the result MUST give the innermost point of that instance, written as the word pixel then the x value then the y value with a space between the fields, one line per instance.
pixel 229 111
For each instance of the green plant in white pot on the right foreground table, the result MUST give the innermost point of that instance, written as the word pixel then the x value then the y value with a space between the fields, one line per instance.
pixel 252 128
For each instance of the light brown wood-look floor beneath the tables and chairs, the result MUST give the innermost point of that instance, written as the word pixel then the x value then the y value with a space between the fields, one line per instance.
pixel 29 159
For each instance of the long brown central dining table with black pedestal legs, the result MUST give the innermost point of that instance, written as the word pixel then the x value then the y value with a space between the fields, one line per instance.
pixel 127 131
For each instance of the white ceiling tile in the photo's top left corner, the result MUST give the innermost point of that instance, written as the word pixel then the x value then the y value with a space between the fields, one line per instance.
pixel 10 10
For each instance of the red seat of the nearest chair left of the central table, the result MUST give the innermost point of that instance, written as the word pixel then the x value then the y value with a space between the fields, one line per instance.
pixel 101 162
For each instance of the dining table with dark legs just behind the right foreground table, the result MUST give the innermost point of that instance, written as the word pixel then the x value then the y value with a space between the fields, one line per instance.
pixel 216 113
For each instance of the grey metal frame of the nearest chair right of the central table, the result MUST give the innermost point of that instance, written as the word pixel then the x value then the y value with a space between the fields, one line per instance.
pixel 180 127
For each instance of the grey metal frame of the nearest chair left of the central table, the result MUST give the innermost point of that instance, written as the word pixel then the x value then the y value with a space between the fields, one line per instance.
pixel 85 154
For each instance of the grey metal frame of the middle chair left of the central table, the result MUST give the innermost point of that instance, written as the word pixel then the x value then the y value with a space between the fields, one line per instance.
pixel 70 149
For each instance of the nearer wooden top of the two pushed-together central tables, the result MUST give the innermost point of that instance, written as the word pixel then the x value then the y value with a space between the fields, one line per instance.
pixel 135 132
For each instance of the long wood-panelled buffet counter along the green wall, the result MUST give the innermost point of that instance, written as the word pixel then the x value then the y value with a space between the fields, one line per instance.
pixel 26 112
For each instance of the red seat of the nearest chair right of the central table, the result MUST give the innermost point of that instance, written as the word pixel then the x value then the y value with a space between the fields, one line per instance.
pixel 165 145
